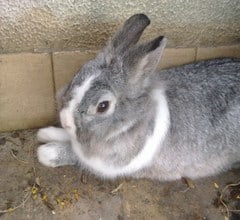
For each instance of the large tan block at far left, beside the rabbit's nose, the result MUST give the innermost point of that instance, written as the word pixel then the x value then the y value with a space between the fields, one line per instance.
pixel 26 91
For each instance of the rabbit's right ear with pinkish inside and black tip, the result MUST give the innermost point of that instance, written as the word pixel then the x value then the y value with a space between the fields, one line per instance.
pixel 143 60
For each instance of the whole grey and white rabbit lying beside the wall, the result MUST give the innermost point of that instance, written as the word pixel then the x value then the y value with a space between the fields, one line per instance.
pixel 122 118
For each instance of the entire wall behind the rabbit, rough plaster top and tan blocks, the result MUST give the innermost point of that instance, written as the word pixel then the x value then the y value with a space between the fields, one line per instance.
pixel 43 43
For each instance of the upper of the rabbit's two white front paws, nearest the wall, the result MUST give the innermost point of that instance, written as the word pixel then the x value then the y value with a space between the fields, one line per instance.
pixel 51 134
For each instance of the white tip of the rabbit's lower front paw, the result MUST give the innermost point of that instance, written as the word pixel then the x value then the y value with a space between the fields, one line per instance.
pixel 48 155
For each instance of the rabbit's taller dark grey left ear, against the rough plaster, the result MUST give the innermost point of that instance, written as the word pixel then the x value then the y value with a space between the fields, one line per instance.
pixel 130 33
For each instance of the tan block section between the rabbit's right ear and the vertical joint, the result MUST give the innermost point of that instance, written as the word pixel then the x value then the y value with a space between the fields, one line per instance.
pixel 173 57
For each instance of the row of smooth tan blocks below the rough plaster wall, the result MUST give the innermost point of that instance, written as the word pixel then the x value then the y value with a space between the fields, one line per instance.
pixel 28 81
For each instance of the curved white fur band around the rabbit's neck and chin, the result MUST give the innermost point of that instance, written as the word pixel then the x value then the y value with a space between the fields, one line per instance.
pixel 145 156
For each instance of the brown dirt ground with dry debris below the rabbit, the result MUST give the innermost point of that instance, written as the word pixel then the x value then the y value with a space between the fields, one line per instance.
pixel 29 190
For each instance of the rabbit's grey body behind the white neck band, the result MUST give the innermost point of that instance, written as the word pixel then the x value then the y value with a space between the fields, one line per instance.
pixel 204 133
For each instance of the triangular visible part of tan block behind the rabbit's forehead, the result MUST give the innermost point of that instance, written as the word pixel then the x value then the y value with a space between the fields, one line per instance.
pixel 66 64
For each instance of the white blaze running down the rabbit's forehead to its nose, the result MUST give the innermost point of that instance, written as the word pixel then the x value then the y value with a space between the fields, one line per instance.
pixel 67 113
